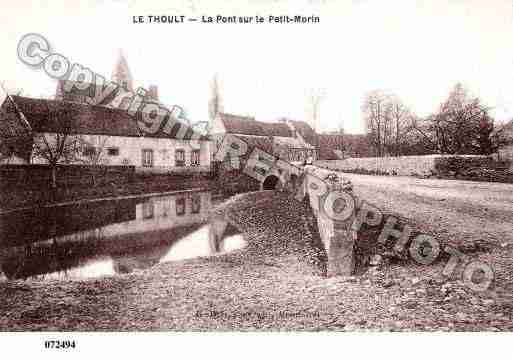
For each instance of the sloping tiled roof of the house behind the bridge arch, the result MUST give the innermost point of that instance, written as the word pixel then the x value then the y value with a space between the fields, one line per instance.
pixel 243 125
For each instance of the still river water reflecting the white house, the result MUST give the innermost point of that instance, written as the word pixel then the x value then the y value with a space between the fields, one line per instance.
pixel 107 238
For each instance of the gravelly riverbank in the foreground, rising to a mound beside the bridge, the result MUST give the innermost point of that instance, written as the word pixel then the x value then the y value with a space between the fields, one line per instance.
pixel 275 283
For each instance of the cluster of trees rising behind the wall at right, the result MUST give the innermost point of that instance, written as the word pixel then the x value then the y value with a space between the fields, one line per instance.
pixel 461 125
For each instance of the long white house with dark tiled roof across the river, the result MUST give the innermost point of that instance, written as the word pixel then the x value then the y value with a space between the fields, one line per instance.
pixel 109 136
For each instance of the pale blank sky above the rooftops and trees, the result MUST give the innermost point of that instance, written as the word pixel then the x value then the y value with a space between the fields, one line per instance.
pixel 415 49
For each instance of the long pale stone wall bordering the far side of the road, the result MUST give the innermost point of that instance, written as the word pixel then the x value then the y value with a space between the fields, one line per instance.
pixel 401 166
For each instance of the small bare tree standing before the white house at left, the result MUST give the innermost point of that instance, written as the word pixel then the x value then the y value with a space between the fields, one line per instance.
pixel 61 146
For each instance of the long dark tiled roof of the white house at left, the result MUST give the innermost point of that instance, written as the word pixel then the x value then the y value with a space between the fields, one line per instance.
pixel 54 115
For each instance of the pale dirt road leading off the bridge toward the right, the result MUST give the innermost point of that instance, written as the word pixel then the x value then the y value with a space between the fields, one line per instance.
pixel 460 211
